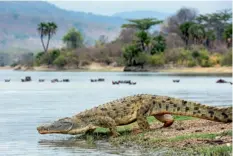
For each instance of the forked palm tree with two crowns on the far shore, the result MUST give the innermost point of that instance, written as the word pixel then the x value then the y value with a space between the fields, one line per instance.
pixel 46 29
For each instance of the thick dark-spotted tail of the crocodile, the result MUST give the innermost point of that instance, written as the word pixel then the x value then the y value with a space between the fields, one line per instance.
pixel 167 105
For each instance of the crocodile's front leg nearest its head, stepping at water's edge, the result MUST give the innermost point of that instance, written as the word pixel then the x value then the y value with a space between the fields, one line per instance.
pixel 107 122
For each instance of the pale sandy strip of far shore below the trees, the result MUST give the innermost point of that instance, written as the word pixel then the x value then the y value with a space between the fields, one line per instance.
pixel 97 67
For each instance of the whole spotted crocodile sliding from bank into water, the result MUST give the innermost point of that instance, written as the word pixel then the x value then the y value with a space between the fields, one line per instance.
pixel 135 108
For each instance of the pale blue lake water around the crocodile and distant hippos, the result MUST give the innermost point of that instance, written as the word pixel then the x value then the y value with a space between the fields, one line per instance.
pixel 24 106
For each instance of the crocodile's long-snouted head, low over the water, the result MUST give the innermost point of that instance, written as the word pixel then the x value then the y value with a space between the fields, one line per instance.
pixel 64 126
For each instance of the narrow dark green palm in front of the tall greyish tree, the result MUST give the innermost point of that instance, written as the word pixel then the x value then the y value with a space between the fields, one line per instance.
pixel 184 29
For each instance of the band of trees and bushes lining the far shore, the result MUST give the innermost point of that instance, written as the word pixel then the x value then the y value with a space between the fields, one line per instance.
pixel 185 39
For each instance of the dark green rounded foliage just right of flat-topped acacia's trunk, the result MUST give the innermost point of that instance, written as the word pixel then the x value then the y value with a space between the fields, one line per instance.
pixel 158 44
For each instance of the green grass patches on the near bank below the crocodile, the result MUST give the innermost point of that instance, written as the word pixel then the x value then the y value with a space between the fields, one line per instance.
pixel 154 140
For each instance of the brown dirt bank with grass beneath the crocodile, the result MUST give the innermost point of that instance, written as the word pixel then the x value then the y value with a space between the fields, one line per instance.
pixel 196 136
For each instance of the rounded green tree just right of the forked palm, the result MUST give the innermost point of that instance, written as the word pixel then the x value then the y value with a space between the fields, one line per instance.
pixel 73 39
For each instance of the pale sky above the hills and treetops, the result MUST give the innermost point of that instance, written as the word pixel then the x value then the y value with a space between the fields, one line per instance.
pixel 110 7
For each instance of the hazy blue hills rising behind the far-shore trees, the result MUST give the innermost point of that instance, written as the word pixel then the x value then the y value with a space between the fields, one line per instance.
pixel 19 20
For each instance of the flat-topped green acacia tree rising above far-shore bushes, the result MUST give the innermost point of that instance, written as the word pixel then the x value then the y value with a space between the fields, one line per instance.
pixel 142 25
